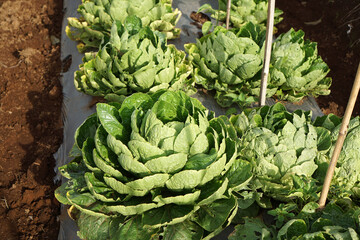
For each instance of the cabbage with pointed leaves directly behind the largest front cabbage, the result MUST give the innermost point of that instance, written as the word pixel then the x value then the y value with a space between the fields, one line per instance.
pixel 135 59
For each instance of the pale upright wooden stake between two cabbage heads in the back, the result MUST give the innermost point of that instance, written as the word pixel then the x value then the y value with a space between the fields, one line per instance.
pixel 268 43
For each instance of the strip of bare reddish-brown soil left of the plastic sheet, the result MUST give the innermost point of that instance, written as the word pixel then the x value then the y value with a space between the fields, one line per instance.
pixel 30 117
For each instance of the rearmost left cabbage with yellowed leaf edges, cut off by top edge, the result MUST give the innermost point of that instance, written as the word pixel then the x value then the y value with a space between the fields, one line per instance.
pixel 97 17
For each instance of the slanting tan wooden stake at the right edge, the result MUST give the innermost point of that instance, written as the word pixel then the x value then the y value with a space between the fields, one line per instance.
pixel 340 140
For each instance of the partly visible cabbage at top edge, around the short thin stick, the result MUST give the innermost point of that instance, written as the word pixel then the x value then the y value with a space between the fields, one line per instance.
pixel 242 11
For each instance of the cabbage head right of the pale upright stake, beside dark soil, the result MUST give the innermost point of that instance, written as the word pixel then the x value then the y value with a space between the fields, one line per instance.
pixel 296 69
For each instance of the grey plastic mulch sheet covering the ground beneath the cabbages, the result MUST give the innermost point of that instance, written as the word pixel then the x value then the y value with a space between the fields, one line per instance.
pixel 77 106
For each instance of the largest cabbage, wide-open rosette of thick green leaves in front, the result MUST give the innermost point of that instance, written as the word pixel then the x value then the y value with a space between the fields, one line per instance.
pixel 156 165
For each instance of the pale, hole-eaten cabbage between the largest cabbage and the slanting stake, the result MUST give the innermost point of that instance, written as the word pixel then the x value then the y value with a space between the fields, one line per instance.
pixel 283 148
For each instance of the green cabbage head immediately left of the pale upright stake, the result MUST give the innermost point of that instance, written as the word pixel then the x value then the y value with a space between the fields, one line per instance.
pixel 227 61
